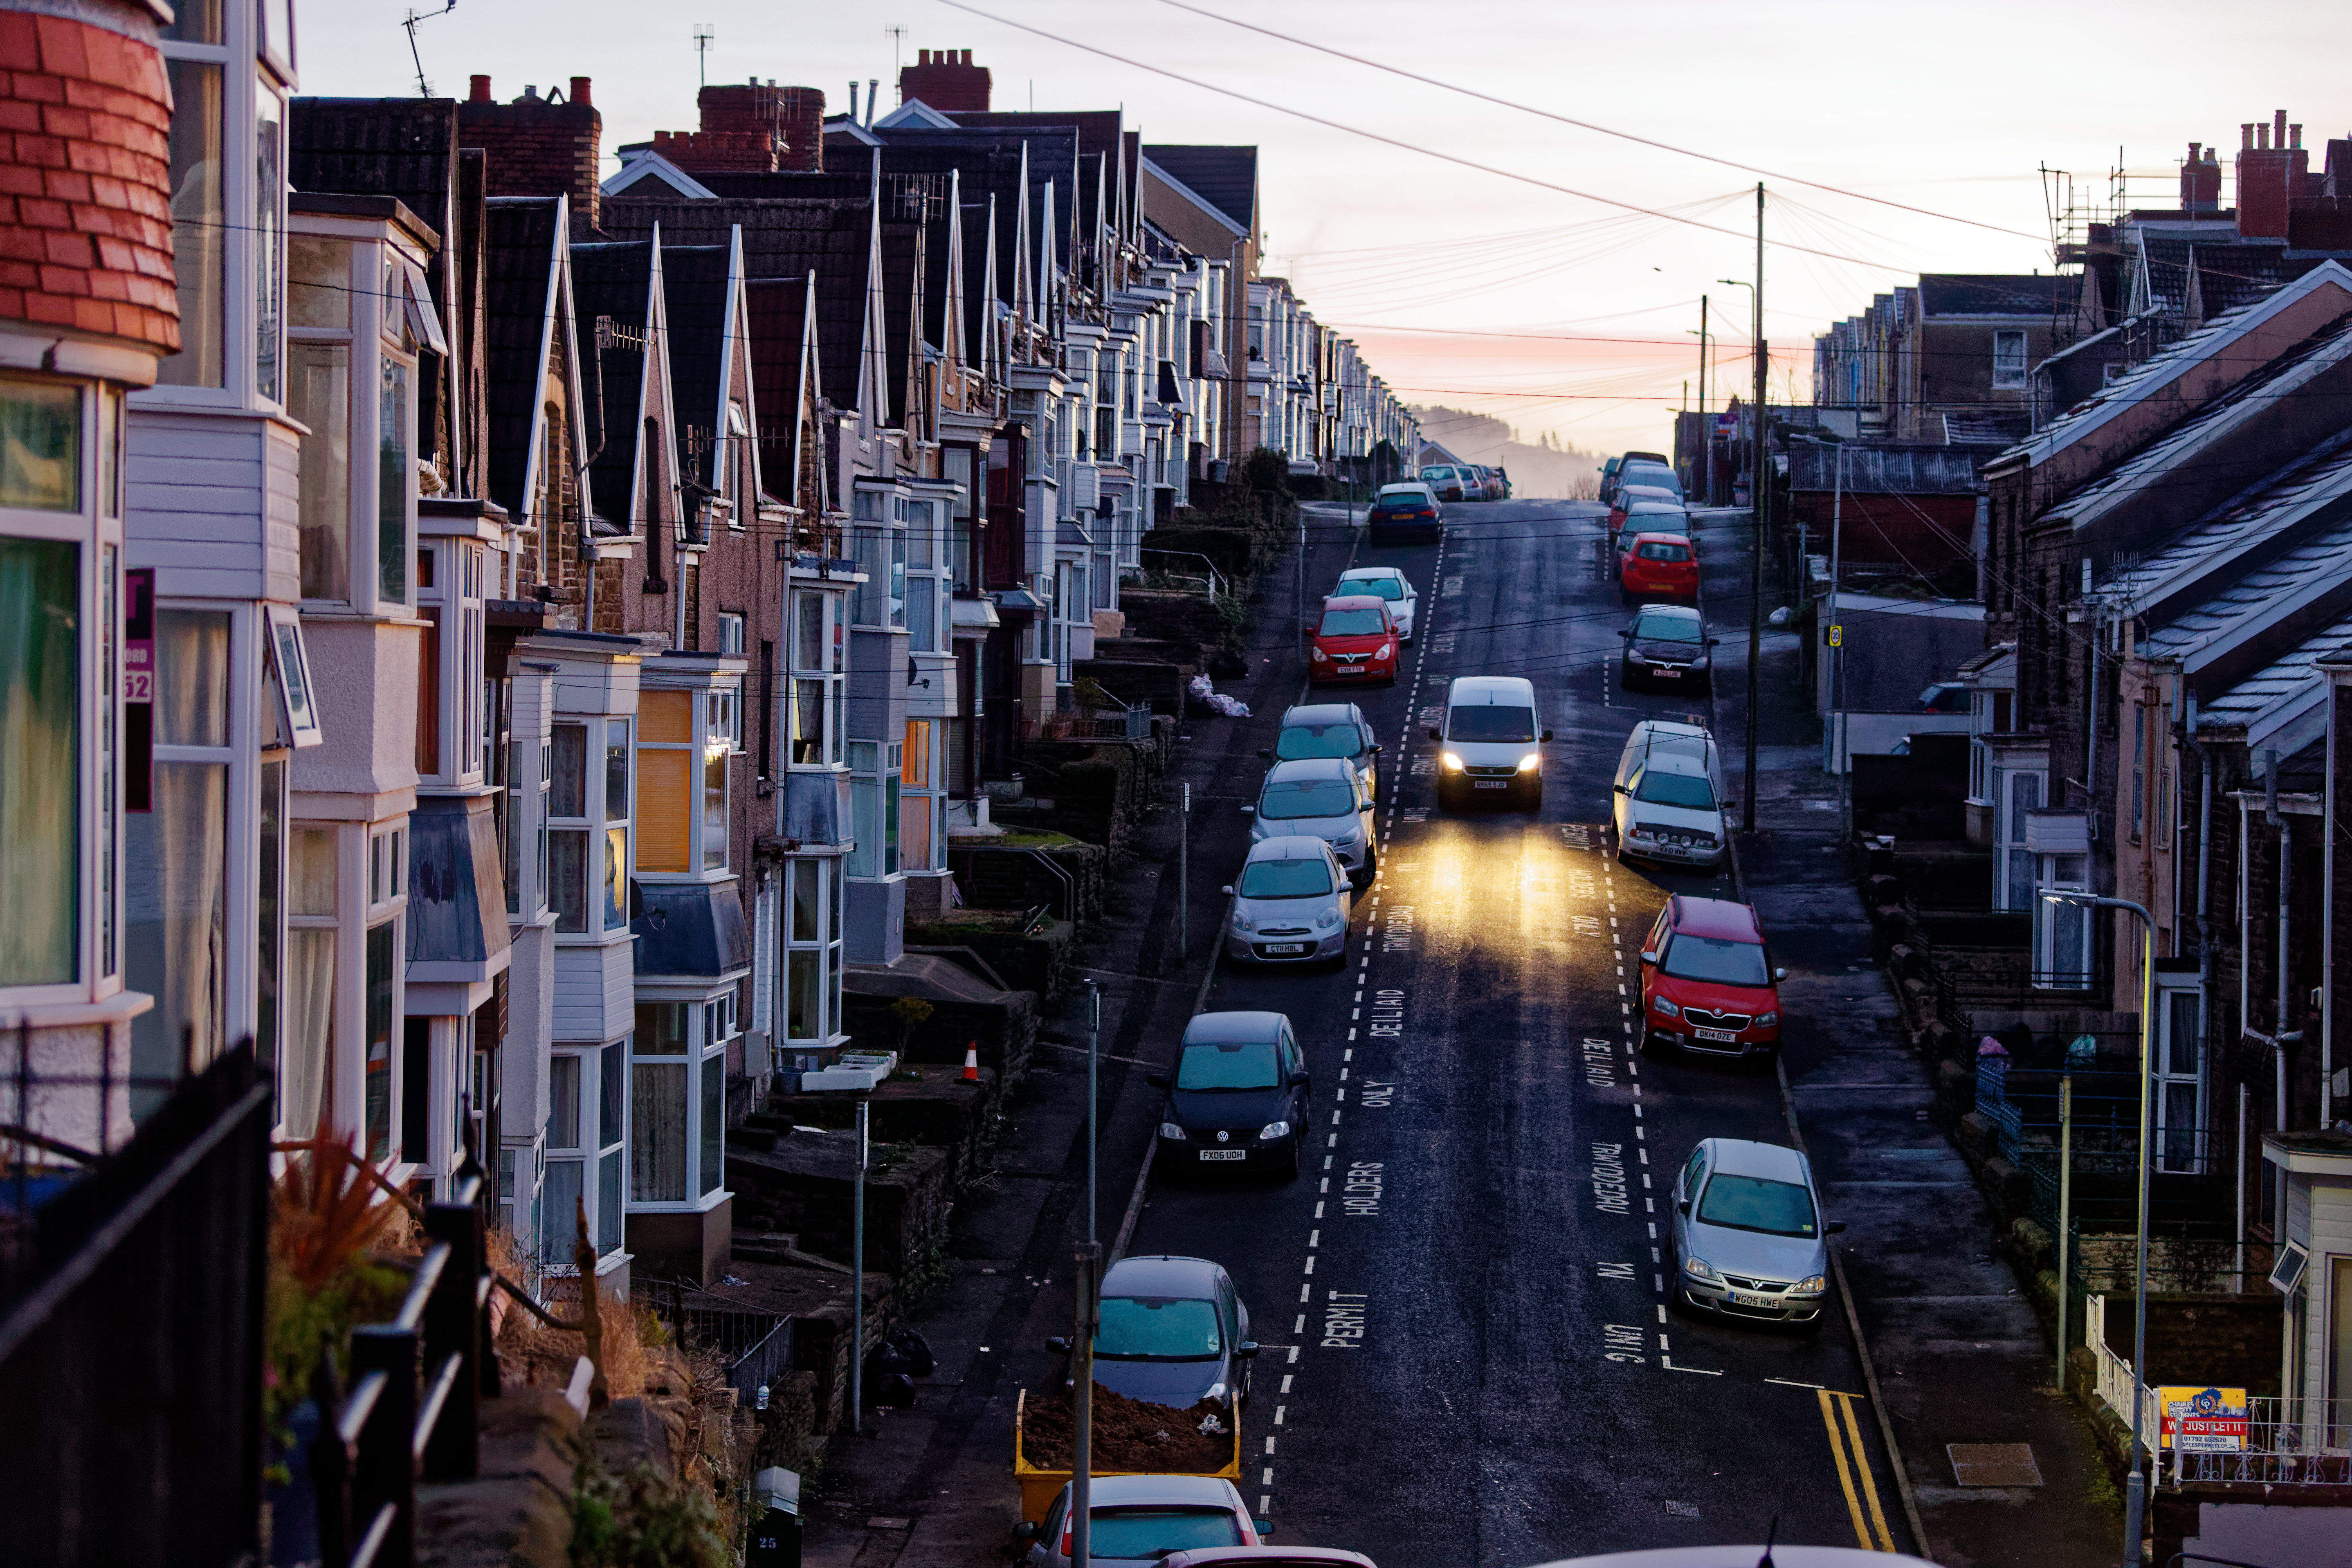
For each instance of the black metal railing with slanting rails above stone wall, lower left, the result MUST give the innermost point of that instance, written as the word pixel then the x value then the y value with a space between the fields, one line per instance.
pixel 417 1386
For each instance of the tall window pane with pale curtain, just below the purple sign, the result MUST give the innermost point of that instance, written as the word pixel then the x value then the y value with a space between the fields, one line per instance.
pixel 178 916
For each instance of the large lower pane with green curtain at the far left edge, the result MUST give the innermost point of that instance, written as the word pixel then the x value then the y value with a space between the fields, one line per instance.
pixel 41 763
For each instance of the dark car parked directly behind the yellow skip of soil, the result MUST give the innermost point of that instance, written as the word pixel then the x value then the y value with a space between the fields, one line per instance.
pixel 1172 1332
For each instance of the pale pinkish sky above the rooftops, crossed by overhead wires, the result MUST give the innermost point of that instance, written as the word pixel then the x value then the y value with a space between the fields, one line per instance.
pixel 1942 107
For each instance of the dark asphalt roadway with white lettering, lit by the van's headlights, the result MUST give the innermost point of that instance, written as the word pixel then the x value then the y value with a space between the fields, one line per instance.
pixel 1469 1355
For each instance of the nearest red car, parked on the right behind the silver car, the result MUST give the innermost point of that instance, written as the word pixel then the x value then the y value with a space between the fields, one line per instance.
pixel 1709 981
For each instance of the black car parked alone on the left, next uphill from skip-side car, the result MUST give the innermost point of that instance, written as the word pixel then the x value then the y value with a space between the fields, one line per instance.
pixel 1238 1099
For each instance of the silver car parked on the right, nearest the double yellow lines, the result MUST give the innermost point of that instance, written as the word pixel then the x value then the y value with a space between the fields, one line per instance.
pixel 1749 1233
